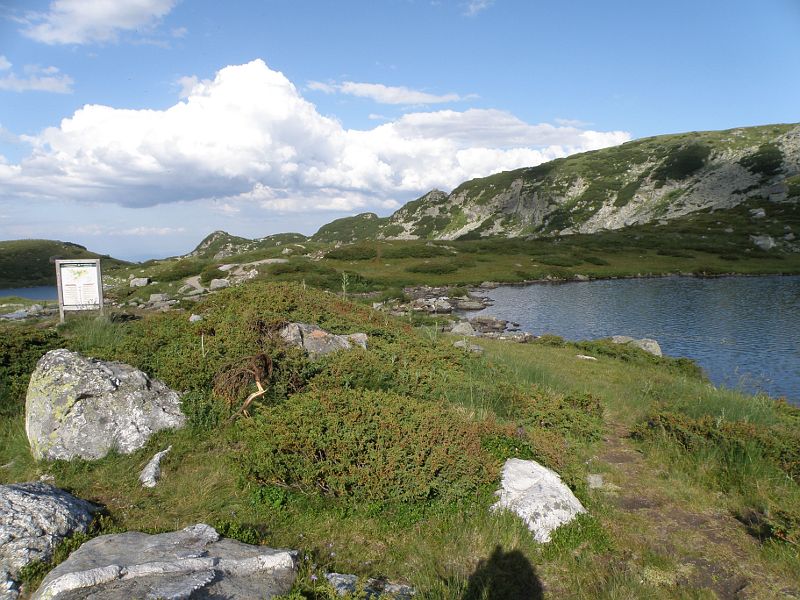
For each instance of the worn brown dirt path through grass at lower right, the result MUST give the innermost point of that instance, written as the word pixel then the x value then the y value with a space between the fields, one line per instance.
pixel 701 549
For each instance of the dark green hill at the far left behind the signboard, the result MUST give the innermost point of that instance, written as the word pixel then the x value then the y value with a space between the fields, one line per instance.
pixel 25 263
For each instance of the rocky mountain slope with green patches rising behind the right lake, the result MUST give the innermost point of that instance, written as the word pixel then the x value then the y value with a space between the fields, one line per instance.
pixel 643 181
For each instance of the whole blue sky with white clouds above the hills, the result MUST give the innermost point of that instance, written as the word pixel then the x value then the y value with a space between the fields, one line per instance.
pixel 137 127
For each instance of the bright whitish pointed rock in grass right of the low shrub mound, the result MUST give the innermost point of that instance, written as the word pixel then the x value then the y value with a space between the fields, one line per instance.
pixel 537 495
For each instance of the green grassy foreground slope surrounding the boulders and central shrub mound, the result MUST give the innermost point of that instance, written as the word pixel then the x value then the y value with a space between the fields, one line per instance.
pixel 663 528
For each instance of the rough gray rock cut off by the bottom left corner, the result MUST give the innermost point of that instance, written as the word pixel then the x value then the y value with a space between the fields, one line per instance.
pixel 34 518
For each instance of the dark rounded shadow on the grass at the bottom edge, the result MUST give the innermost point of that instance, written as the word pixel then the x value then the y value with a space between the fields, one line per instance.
pixel 504 576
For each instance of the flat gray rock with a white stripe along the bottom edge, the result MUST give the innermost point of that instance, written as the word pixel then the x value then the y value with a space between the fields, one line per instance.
pixel 191 563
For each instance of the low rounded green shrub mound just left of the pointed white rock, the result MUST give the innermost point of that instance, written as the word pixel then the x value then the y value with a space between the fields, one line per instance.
pixel 366 445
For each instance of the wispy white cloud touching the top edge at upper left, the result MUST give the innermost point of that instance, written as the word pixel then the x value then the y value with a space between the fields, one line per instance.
pixel 82 22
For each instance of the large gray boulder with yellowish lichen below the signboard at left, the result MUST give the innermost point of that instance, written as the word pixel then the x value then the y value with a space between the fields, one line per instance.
pixel 83 407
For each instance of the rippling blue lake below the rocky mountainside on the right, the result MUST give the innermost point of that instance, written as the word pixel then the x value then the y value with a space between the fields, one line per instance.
pixel 743 331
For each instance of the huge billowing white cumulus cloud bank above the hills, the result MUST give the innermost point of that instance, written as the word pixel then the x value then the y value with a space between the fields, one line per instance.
pixel 248 138
